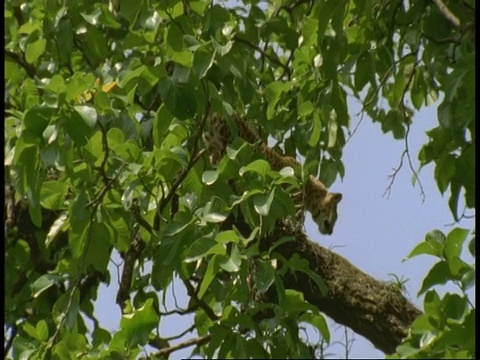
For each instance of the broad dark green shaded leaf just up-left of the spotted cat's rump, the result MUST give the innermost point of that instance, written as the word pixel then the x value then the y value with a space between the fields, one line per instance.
pixel 179 98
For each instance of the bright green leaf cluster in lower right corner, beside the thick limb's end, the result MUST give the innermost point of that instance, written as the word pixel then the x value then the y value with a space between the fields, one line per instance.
pixel 447 328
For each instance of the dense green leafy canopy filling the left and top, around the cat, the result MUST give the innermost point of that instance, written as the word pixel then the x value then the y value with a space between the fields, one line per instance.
pixel 105 104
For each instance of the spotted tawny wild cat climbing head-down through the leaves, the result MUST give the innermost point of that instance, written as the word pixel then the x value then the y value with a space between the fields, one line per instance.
pixel 315 197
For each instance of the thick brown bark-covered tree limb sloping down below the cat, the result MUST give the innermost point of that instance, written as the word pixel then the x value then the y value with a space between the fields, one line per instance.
pixel 368 306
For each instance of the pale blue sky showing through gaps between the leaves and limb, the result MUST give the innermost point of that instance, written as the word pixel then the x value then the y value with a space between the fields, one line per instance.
pixel 373 232
